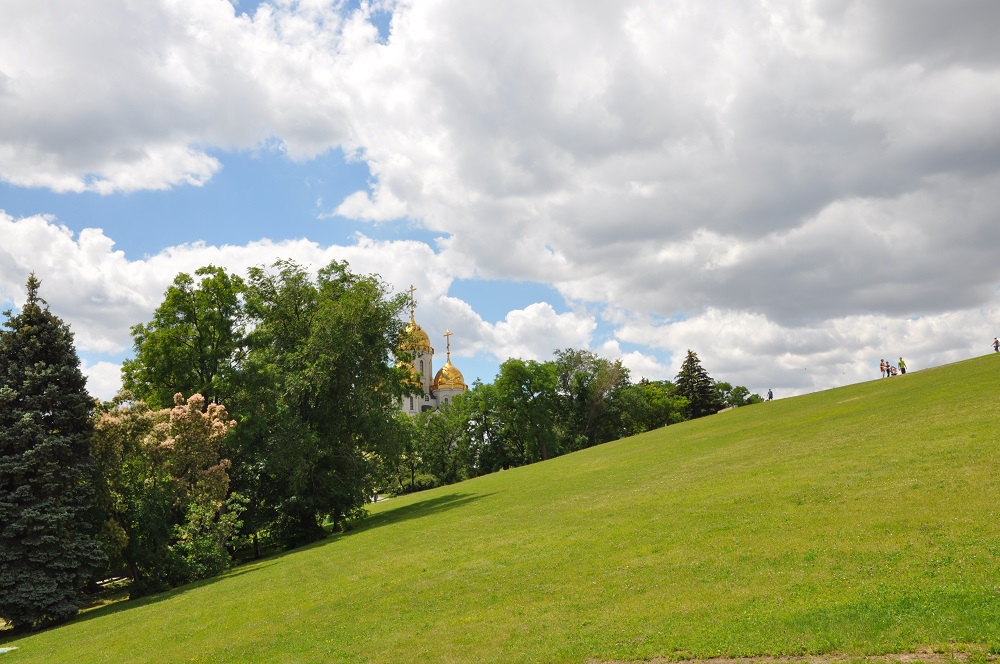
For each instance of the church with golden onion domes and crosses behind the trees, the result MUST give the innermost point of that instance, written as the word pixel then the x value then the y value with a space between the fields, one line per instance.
pixel 428 393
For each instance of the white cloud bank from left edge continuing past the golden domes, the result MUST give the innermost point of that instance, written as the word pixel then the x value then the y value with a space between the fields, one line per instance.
pixel 101 293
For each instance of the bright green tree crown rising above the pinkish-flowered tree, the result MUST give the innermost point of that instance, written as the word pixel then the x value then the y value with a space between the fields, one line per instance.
pixel 194 342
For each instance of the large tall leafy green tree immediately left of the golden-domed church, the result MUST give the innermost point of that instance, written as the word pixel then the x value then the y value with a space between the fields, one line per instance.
pixel 319 393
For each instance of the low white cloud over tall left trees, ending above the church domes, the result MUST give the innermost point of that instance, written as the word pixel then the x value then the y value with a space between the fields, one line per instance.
pixel 101 293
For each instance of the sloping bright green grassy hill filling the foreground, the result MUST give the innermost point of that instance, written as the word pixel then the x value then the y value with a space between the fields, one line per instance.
pixel 862 520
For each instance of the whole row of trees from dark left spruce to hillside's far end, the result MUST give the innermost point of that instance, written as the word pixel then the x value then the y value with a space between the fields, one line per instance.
pixel 259 414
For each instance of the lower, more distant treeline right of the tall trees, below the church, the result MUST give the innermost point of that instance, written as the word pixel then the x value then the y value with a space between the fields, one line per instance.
pixel 538 410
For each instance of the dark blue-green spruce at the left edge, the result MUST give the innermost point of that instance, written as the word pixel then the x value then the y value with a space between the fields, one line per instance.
pixel 47 516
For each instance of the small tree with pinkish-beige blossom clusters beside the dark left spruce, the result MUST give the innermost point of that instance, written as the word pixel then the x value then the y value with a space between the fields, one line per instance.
pixel 165 487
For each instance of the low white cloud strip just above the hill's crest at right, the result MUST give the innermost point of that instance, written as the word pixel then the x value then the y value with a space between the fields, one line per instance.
pixel 745 348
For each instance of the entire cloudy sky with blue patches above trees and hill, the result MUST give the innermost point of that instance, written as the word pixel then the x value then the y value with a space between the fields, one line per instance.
pixel 793 190
